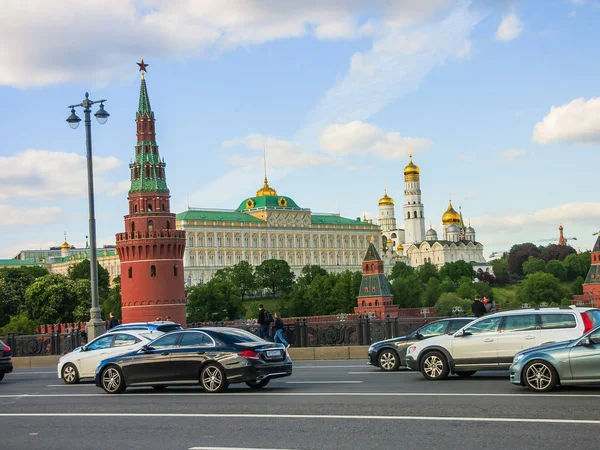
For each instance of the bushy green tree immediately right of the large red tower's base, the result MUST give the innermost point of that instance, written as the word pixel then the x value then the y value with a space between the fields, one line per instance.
pixel 216 300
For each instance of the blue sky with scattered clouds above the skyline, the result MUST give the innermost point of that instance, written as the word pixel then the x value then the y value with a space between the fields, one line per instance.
pixel 499 102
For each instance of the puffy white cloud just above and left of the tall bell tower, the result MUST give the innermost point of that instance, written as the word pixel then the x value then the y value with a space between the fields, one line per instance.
pixel 366 139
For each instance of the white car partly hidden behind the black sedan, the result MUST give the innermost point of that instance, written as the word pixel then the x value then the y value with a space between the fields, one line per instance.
pixel 82 362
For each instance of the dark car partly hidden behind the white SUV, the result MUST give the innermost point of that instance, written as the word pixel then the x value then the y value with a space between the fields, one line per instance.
pixel 390 354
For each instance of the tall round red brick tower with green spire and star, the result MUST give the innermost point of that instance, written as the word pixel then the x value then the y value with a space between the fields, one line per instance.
pixel 151 249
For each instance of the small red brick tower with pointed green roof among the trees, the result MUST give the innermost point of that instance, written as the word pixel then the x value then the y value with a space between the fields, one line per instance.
pixel 374 296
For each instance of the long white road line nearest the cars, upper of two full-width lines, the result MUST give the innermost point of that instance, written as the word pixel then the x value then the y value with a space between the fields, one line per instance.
pixel 305 394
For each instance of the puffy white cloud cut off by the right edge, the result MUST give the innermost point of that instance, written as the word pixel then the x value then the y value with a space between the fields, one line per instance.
pixel 577 122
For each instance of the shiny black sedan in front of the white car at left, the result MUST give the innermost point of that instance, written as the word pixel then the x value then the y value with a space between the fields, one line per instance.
pixel 212 357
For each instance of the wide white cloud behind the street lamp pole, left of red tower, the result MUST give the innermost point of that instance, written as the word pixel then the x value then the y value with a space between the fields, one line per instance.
pixel 43 174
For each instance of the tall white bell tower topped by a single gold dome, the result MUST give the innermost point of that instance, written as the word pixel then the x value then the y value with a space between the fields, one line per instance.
pixel 414 215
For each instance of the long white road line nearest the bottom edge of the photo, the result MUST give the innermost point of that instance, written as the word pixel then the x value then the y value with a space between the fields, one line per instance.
pixel 310 416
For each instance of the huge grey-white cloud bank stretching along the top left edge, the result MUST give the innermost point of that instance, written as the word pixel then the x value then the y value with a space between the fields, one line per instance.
pixel 48 42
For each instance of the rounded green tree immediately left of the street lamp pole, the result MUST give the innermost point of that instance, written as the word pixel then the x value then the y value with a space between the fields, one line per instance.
pixel 53 299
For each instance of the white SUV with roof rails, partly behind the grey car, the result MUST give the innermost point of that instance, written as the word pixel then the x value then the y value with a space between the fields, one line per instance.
pixel 491 342
